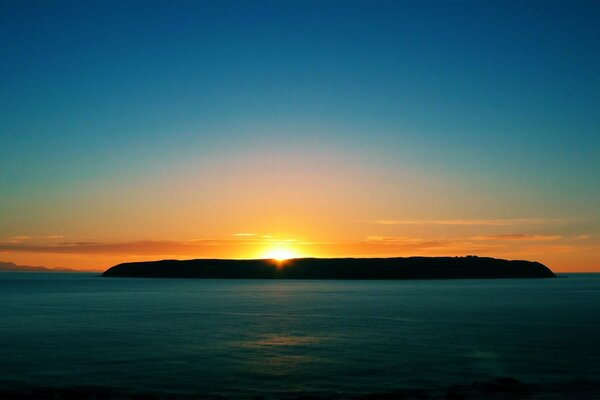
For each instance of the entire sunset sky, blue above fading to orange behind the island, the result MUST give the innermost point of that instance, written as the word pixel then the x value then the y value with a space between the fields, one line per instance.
pixel 149 130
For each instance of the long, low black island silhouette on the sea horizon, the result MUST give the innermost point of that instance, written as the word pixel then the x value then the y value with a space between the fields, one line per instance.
pixel 335 268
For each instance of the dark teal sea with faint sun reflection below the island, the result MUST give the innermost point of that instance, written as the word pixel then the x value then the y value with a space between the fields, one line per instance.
pixel 285 339
